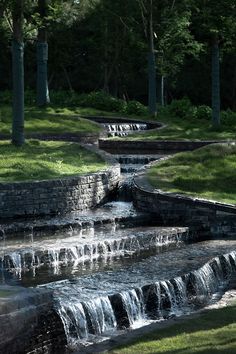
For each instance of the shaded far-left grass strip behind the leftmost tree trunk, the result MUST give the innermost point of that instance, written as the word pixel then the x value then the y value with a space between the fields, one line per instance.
pixel 49 121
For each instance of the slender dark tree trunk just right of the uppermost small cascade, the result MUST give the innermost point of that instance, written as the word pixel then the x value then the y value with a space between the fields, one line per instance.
pixel 152 95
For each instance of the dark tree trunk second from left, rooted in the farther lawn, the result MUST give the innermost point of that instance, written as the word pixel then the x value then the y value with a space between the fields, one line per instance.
pixel 42 58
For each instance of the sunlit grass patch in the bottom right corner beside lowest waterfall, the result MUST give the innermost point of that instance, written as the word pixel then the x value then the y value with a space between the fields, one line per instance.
pixel 213 332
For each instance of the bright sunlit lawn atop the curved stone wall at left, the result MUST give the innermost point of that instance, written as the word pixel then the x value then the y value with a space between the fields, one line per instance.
pixel 39 160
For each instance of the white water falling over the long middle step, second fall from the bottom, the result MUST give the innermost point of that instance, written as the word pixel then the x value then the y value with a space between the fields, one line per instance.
pixel 72 251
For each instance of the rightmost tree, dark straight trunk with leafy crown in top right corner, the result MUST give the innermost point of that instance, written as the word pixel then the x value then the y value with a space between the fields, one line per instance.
pixel 214 23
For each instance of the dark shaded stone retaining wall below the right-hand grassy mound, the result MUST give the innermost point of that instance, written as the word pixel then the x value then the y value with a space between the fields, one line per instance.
pixel 207 217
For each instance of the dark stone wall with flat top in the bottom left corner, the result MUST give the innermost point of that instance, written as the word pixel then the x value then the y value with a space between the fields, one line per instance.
pixel 28 322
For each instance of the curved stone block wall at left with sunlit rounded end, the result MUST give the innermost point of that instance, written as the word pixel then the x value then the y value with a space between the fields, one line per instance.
pixel 59 196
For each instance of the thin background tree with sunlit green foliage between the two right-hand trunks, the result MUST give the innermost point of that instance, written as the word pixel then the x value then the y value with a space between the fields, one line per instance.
pixel 174 43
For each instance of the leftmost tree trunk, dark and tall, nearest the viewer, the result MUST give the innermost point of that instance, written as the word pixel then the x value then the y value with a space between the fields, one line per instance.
pixel 18 74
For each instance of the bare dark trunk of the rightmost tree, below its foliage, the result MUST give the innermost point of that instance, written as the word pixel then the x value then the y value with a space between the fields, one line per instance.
pixel 215 84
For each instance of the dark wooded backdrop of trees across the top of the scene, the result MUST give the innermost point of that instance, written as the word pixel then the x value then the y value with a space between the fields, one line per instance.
pixel 143 49
